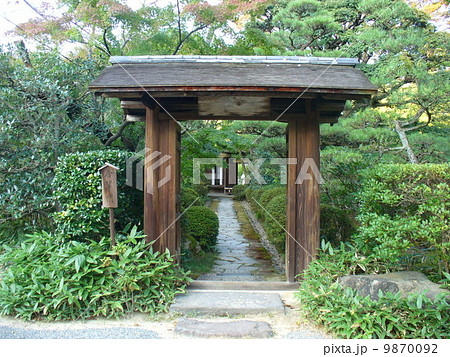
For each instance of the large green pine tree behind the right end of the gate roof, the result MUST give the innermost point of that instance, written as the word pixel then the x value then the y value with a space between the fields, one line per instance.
pixel 408 61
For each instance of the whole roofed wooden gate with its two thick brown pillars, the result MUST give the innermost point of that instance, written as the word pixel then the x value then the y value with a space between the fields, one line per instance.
pixel 302 91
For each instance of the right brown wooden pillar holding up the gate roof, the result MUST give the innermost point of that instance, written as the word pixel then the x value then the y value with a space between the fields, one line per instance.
pixel 303 204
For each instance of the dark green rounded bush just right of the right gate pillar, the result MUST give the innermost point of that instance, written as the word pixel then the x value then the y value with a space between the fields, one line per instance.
pixel 335 224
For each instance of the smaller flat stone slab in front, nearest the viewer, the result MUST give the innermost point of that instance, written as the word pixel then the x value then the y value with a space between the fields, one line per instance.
pixel 226 329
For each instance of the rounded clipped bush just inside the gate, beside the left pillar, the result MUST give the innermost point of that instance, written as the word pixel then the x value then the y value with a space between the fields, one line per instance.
pixel 203 225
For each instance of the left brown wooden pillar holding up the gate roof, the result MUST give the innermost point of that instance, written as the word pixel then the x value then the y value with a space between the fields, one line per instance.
pixel 162 183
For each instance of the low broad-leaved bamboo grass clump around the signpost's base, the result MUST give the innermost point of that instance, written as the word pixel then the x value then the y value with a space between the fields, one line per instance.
pixel 50 278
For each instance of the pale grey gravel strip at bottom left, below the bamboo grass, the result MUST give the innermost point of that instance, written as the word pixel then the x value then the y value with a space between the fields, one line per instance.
pixel 89 333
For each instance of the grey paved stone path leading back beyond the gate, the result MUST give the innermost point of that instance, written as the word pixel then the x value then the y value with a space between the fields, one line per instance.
pixel 239 258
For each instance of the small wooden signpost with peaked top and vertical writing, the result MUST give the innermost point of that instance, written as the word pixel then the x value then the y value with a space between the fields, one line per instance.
pixel 109 194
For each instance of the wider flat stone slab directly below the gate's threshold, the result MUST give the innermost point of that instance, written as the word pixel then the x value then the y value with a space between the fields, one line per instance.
pixel 228 303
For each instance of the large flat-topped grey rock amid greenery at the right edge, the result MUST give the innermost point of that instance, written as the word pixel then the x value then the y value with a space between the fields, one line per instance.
pixel 405 282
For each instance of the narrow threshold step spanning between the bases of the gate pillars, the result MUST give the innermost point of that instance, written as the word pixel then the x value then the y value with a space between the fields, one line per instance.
pixel 243 285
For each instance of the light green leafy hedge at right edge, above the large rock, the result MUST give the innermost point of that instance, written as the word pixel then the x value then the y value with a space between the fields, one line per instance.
pixel 405 216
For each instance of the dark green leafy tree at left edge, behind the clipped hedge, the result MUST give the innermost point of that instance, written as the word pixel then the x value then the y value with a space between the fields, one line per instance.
pixel 46 112
